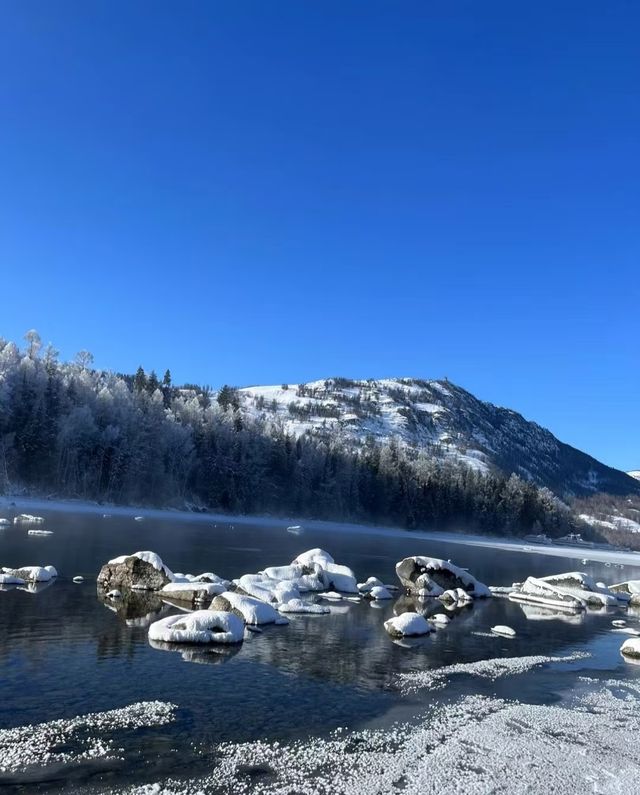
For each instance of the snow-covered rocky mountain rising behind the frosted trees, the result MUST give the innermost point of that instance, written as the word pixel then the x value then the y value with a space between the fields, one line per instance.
pixel 438 417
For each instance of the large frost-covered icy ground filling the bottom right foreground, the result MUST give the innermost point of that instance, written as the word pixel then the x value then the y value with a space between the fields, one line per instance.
pixel 475 746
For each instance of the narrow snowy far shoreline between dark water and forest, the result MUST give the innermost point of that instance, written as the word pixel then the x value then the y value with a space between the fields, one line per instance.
pixel 30 504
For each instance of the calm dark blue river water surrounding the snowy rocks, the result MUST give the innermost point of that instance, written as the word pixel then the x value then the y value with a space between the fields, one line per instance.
pixel 65 653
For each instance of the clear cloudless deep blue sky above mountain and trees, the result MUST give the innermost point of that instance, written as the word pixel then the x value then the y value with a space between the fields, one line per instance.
pixel 258 192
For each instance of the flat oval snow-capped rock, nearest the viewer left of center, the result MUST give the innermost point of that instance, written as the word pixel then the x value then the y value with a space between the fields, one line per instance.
pixel 202 626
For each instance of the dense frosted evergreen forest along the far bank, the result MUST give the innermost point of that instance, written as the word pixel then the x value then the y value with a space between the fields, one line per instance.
pixel 69 429
